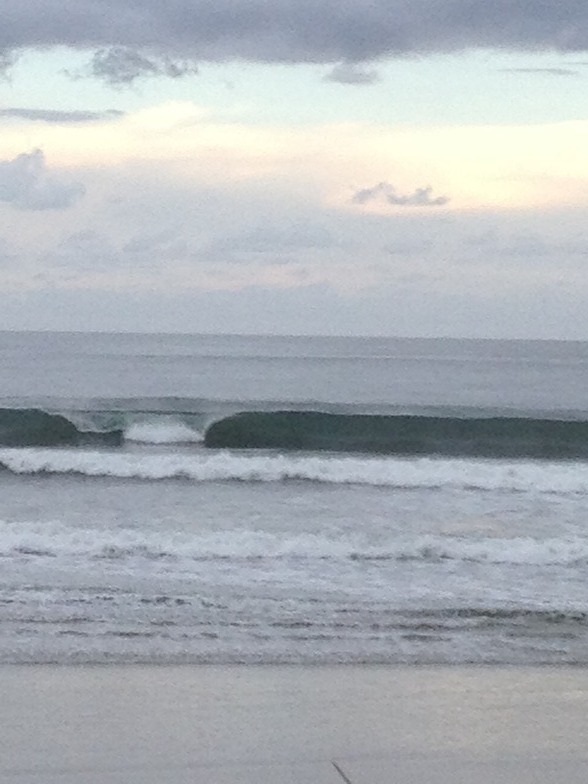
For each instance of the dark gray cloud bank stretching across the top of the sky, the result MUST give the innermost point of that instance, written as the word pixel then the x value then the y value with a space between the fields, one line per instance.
pixel 311 31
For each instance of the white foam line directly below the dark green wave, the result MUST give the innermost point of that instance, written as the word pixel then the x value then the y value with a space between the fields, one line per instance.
pixel 395 472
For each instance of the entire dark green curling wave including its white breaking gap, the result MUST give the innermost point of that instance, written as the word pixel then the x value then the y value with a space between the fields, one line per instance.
pixel 441 433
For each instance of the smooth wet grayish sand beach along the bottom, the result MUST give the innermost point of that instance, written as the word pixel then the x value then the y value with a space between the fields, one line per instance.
pixel 281 724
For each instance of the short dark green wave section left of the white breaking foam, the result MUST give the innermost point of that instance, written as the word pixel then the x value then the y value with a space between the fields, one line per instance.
pixel 31 427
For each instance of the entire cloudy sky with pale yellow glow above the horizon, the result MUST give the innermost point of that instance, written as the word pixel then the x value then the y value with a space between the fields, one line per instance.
pixel 348 167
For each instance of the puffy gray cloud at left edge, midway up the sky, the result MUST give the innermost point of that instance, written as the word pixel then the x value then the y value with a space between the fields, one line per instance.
pixel 26 185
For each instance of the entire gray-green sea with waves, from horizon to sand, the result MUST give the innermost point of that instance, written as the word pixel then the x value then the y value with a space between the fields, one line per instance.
pixel 223 499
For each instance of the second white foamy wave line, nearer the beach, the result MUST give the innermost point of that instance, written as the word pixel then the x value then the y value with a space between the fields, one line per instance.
pixel 55 540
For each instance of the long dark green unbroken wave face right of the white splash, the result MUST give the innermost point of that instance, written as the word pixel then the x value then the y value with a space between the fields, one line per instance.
pixel 402 434
